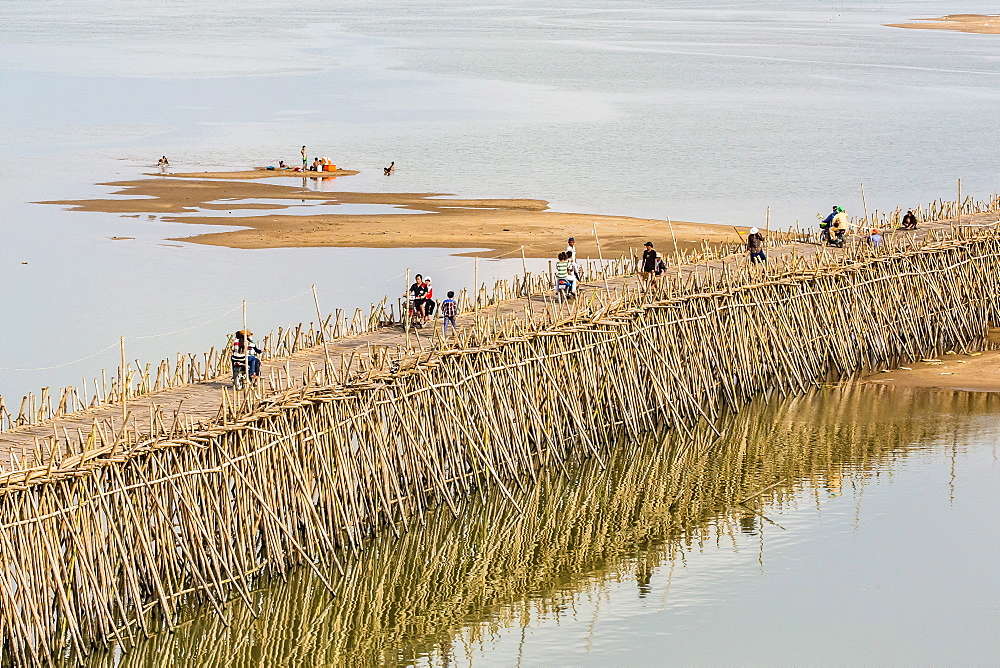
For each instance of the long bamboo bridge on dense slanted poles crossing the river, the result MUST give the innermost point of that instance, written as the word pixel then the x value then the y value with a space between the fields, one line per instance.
pixel 168 490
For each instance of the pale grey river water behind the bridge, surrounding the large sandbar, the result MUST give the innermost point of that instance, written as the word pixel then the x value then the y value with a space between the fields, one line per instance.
pixel 693 110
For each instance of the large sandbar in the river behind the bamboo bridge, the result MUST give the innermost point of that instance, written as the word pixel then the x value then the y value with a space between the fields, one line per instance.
pixel 500 225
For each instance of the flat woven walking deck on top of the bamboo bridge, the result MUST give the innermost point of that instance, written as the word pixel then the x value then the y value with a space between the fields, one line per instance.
pixel 201 402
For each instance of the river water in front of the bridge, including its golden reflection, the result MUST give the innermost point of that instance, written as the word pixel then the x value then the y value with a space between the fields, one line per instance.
pixel 852 526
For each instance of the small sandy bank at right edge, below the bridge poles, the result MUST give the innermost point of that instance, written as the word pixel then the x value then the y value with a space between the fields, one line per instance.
pixel 975 372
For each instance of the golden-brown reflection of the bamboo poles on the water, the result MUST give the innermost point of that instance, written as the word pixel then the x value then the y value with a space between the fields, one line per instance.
pixel 428 595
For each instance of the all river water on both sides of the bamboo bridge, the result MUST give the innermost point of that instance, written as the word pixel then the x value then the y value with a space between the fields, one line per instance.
pixel 878 542
